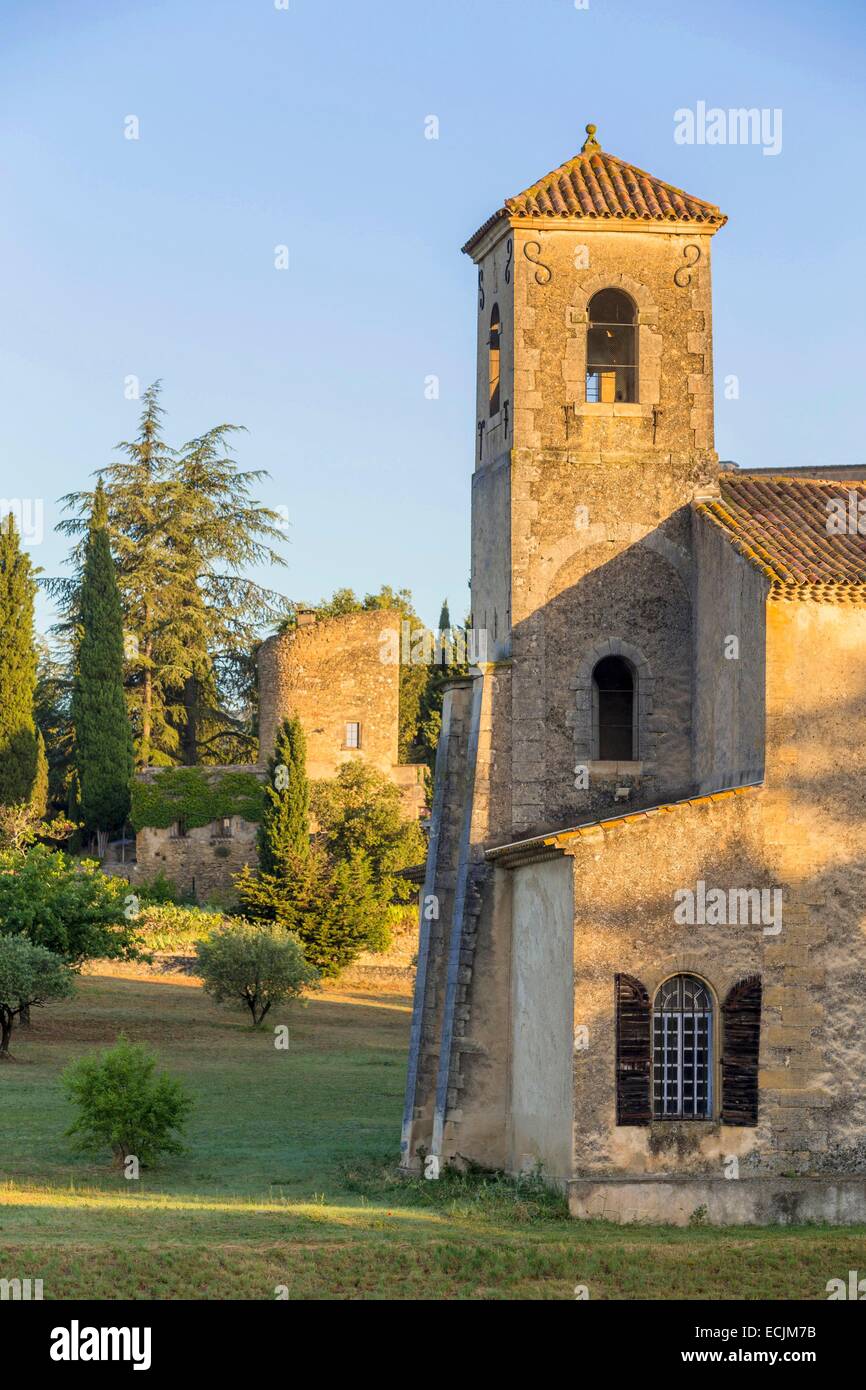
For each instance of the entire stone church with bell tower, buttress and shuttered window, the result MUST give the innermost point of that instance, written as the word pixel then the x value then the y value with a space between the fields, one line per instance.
pixel 643 928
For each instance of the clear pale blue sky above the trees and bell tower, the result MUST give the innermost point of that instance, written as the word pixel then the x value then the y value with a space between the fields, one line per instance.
pixel 305 127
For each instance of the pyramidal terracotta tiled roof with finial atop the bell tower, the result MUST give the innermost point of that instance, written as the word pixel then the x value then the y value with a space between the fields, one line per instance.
pixel 600 187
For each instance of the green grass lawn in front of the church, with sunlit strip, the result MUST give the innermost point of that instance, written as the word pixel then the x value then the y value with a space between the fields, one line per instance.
pixel 290 1181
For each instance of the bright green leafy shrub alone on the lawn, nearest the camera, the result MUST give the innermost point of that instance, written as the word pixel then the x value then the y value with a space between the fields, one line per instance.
pixel 124 1106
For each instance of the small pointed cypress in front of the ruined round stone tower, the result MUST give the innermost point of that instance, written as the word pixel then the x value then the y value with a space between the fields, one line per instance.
pixel 284 835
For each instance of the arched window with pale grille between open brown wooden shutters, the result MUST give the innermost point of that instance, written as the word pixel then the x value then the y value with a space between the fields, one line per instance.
pixel 682 1050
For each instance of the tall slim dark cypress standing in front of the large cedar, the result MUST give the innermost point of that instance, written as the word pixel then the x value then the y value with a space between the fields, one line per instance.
pixel 104 736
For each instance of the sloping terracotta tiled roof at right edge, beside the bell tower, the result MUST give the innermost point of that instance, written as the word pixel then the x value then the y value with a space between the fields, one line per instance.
pixel 797 532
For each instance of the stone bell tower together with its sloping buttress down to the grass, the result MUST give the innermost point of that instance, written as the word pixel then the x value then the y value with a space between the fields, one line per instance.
pixel 594 434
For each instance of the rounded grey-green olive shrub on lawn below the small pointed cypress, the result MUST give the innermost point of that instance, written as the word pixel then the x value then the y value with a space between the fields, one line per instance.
pixel 254 967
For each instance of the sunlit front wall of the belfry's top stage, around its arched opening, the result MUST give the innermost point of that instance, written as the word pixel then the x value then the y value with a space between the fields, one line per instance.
pixel 675 409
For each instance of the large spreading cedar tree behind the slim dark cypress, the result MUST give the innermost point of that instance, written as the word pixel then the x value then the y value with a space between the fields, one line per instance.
pixel 184 528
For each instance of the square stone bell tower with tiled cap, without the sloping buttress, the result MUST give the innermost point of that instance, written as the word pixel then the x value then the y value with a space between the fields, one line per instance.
pixel 594 434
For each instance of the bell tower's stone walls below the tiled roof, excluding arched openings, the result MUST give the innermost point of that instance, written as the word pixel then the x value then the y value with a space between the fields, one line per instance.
pixel 582 530
